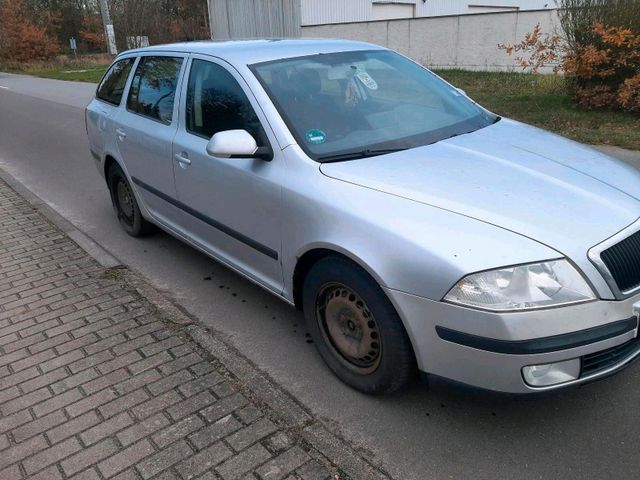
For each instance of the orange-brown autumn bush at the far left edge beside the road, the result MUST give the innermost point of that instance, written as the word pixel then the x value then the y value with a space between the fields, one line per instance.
pixel 20 39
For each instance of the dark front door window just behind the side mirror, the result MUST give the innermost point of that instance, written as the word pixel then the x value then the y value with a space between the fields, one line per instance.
pixel 216 102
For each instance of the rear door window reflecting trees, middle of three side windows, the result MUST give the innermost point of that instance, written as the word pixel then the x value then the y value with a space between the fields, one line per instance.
pixel 153 88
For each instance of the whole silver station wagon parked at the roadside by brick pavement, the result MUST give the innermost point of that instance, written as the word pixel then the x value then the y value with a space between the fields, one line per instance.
pixel 415 229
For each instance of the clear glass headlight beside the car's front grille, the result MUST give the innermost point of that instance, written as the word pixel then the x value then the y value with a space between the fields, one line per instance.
pixel 524 287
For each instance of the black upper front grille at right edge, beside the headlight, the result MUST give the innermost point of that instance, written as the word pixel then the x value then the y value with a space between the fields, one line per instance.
pixel 623 262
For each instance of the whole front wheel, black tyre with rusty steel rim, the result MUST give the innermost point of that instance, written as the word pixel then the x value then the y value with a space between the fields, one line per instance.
pixel 356 329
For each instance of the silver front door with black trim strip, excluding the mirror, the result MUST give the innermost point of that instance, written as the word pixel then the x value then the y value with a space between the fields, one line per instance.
pixel 231 207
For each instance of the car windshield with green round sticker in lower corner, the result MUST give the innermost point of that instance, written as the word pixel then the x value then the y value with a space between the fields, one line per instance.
pixel 347 105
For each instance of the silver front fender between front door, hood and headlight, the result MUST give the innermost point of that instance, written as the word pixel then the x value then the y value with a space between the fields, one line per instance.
pixel 405 245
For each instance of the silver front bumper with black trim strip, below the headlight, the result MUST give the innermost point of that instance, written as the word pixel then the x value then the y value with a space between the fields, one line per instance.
pixel 488 349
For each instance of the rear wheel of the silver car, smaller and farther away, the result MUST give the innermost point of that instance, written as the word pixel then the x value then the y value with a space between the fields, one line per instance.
pixel 125 203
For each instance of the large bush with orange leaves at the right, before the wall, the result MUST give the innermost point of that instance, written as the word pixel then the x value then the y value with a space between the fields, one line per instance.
pixel 599 53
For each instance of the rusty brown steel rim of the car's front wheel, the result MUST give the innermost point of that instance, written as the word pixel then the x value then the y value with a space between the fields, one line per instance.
pixel 349 328
